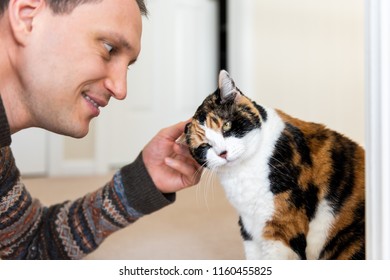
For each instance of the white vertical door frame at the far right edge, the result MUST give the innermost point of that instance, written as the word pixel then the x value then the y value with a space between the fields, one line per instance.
pixel 377 14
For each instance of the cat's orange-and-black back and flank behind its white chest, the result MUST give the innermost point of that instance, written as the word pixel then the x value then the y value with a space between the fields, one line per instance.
pixel 320 173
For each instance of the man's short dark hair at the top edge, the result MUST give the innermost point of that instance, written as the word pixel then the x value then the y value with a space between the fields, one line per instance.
pixel 67 6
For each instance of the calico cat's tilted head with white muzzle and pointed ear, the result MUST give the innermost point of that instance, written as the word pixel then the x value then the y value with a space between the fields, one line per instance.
pixel 224 127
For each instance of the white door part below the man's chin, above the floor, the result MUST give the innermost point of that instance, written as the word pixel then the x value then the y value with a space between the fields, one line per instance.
pixel 29 148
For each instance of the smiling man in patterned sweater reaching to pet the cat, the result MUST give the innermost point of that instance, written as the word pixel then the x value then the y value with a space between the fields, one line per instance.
pixel 61 62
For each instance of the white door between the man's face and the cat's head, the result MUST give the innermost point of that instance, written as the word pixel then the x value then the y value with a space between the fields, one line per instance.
pixel 176 69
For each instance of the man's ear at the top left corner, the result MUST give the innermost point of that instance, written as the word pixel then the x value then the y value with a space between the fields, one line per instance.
pixel 21 17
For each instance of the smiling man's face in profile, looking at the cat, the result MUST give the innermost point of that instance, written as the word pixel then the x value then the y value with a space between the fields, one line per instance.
pixel 74 63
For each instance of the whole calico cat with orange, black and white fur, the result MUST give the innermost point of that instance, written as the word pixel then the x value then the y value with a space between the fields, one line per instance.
pixel 298 186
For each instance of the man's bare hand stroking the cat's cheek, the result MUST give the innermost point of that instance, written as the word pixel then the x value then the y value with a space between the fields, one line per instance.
pixel 170 164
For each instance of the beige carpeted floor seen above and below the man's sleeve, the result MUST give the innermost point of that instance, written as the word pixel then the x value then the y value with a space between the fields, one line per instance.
pixel 200 225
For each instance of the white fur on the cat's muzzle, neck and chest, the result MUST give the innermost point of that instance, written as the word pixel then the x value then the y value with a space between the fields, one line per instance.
pixel 244 174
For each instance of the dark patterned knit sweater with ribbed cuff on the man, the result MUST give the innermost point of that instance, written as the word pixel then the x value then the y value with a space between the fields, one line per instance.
pixel 70 230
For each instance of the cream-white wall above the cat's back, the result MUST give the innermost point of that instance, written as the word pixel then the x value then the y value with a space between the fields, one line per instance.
pixel 305 57
